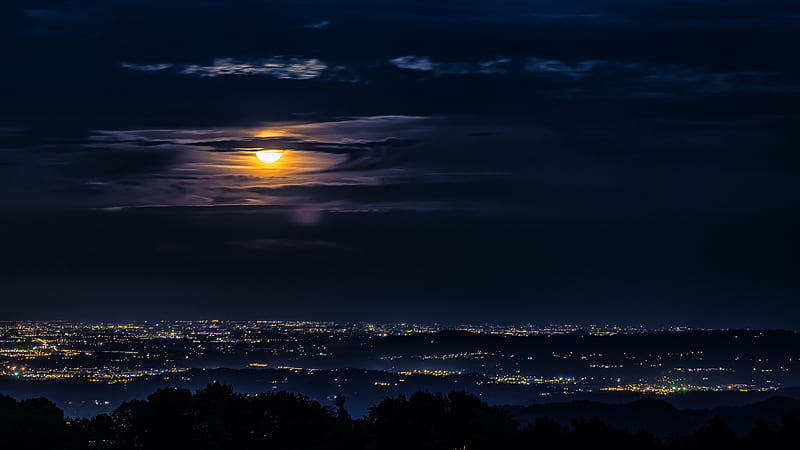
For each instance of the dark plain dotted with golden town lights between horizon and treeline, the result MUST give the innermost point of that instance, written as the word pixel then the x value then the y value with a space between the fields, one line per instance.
pixel 491 360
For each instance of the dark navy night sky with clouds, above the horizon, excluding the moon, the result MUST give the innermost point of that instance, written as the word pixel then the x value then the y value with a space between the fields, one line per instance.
pixel 578 161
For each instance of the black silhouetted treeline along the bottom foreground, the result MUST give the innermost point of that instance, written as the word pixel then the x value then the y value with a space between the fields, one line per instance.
pixel 217 418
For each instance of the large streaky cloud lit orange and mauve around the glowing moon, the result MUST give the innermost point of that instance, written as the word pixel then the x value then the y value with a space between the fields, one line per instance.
pixel 192 166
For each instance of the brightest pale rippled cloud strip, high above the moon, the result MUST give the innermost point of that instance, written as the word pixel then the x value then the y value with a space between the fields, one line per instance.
pixel 278 67
